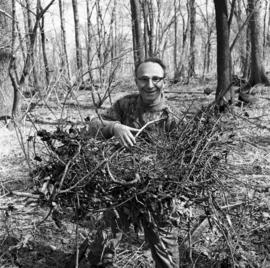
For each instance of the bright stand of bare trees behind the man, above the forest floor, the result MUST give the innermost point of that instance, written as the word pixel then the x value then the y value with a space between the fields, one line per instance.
pixel 97 41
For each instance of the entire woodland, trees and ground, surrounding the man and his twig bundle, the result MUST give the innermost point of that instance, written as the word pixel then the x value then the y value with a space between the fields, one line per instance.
pixel 63 60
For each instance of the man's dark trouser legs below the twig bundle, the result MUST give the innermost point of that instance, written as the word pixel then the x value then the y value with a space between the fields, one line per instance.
pixel 162 240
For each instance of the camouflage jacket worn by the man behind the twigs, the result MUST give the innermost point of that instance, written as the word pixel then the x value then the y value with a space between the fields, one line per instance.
pixel 131 111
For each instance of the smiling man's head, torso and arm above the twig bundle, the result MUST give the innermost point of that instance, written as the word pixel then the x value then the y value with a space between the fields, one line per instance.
pixel 130 113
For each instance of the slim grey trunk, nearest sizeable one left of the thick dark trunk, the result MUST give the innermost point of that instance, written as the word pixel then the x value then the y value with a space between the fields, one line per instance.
pixel 191 68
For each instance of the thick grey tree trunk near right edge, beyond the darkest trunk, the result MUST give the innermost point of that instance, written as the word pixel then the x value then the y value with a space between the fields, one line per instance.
pixel 257 73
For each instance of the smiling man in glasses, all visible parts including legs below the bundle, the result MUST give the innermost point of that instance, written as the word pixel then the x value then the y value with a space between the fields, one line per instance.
pixel 123 120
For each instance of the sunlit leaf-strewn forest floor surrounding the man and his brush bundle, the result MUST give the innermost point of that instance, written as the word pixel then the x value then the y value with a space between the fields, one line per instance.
pixel 28 240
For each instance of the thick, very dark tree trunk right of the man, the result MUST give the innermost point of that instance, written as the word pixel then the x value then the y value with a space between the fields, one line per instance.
pixel 223 54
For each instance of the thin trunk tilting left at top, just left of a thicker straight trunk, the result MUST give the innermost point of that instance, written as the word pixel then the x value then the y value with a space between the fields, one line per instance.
pixel 64 56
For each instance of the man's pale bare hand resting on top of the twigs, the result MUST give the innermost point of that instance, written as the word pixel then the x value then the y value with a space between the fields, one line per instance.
pixel 123 133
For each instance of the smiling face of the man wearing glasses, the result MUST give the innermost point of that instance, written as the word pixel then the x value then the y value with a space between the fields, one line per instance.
pixel 150 81
